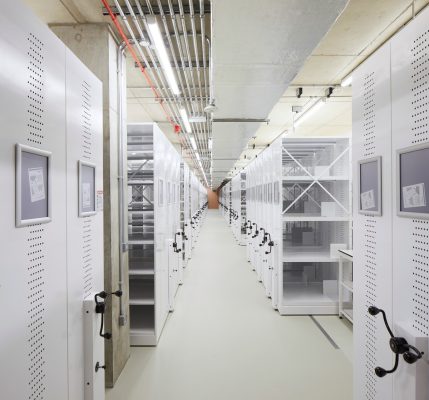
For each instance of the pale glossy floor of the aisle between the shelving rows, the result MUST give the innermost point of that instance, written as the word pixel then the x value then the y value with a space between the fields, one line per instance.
pixel 225 342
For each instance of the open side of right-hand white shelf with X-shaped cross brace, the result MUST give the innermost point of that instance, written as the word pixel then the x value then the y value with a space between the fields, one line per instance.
pixel 316 207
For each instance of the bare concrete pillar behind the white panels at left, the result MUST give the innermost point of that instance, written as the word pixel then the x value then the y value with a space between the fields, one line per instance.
pixel 97 49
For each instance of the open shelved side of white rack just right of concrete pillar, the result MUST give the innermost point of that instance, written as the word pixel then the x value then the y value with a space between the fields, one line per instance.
pixel 141 239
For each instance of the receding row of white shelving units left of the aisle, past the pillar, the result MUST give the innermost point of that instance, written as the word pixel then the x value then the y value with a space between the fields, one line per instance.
pixel 165 206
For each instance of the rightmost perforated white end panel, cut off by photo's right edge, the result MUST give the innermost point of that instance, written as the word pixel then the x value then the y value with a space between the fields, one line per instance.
pixel 410 89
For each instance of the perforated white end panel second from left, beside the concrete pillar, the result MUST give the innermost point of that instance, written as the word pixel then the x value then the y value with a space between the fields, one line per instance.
pixel 84 234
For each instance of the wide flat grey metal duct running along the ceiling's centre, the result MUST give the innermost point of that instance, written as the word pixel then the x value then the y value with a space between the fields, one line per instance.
pixel 258 49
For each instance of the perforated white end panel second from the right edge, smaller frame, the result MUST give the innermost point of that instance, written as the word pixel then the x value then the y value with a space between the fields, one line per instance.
pixel 372 235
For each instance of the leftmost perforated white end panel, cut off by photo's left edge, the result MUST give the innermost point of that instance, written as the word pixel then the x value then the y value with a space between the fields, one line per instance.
pixel 33 339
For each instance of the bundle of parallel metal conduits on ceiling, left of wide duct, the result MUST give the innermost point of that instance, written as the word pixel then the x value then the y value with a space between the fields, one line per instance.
pixel 193 83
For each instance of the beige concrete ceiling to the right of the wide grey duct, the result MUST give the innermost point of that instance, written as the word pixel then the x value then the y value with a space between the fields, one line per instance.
pixel 359 31
